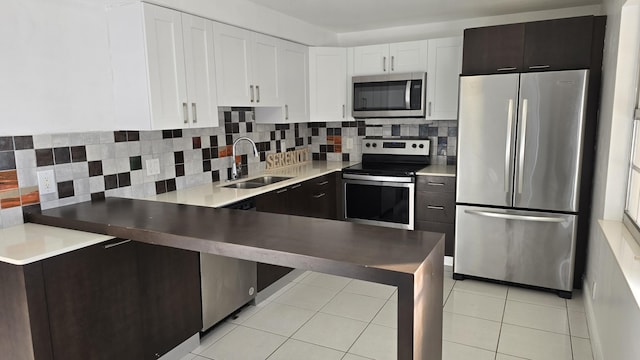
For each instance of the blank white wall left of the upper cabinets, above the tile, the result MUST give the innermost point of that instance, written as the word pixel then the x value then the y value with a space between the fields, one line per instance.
pixel 54 69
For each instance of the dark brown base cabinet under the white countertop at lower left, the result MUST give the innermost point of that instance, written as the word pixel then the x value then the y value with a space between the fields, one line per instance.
pixel 115 300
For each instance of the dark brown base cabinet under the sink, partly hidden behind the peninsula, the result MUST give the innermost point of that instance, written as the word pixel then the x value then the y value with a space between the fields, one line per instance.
pixel 318 197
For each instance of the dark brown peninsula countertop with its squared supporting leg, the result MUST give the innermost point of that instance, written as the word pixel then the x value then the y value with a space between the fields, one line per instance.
pixel 410 260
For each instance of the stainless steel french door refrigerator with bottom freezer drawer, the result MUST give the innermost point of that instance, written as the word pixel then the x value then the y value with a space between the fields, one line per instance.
pixel 520 141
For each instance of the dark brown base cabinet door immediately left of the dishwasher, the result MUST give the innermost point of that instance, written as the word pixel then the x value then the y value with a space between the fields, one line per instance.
pixel 169 296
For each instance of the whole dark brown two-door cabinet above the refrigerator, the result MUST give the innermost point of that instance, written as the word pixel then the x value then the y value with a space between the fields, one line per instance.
pixel 560 44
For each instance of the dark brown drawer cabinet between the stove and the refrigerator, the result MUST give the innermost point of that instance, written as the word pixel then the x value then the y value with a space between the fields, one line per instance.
pixel 435 207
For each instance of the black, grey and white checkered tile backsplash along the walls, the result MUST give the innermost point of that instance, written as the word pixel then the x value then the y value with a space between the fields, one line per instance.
pixel 94 165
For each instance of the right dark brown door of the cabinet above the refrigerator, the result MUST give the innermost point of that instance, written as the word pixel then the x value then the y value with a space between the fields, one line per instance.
pixel 562 44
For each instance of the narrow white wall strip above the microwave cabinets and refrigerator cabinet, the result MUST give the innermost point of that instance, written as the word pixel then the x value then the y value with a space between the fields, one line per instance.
pixel 455 28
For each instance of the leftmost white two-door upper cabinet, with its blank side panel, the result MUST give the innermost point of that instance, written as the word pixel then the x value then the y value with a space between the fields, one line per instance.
pixel 163 68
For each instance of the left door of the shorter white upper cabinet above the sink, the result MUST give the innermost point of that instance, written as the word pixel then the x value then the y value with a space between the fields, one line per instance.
pixel 233 51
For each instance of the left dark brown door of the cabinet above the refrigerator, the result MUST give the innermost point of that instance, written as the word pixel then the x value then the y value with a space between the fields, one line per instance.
pixel 493 49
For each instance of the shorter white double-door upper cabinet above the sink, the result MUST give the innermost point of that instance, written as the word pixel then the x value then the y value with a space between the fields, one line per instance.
pixel 247 67
